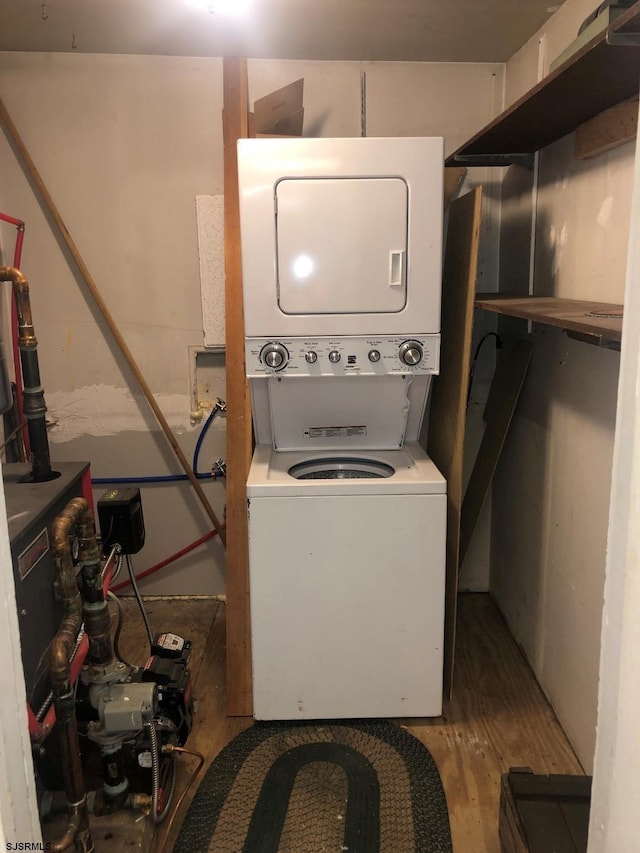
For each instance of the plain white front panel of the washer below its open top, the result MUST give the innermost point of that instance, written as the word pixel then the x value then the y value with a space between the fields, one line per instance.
pixel 347 606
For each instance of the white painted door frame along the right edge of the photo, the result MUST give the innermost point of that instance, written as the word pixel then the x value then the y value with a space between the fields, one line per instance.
pixel 616 789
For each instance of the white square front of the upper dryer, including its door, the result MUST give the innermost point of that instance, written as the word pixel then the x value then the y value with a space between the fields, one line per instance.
pixel 266 164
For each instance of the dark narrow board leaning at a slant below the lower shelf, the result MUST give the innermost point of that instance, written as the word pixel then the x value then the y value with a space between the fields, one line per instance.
pixel 511 367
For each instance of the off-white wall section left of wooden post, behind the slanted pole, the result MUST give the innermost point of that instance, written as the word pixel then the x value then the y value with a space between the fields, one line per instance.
pixel 124 145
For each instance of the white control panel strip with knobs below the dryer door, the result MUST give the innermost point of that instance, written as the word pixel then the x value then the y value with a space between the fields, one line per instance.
pixel 323 356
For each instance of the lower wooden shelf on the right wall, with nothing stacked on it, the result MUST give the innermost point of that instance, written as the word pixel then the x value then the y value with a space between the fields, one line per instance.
pixel 598 323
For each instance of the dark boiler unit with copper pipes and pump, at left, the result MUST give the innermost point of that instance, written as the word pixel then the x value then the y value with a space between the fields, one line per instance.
pixel 76 682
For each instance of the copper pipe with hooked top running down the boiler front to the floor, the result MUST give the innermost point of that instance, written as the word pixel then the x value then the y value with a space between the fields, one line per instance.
pixel 77 513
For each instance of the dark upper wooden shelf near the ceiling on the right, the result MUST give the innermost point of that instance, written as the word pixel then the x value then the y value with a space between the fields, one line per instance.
pixel 602 73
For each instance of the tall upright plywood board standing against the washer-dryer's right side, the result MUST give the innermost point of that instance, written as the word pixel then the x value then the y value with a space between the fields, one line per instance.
pixel 448 405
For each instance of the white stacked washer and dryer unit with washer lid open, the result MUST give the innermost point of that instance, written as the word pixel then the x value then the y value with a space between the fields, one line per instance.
pixel 341 254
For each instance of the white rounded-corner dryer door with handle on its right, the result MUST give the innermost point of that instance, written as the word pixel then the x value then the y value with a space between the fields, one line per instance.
pixel 341 245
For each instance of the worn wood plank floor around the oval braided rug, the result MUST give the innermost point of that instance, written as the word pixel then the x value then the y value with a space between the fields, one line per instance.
pixel 498 717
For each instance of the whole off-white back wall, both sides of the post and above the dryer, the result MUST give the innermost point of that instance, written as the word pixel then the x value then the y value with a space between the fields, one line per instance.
pixel 124 145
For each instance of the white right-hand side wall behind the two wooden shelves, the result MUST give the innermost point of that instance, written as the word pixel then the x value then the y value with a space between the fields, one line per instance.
pixel 551 492
